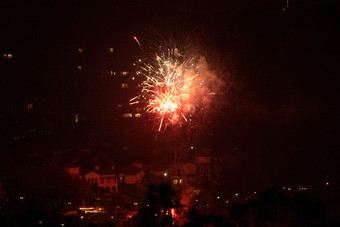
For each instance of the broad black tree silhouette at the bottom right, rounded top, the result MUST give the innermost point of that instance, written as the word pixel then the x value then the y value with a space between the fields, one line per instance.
pixel 274 208
